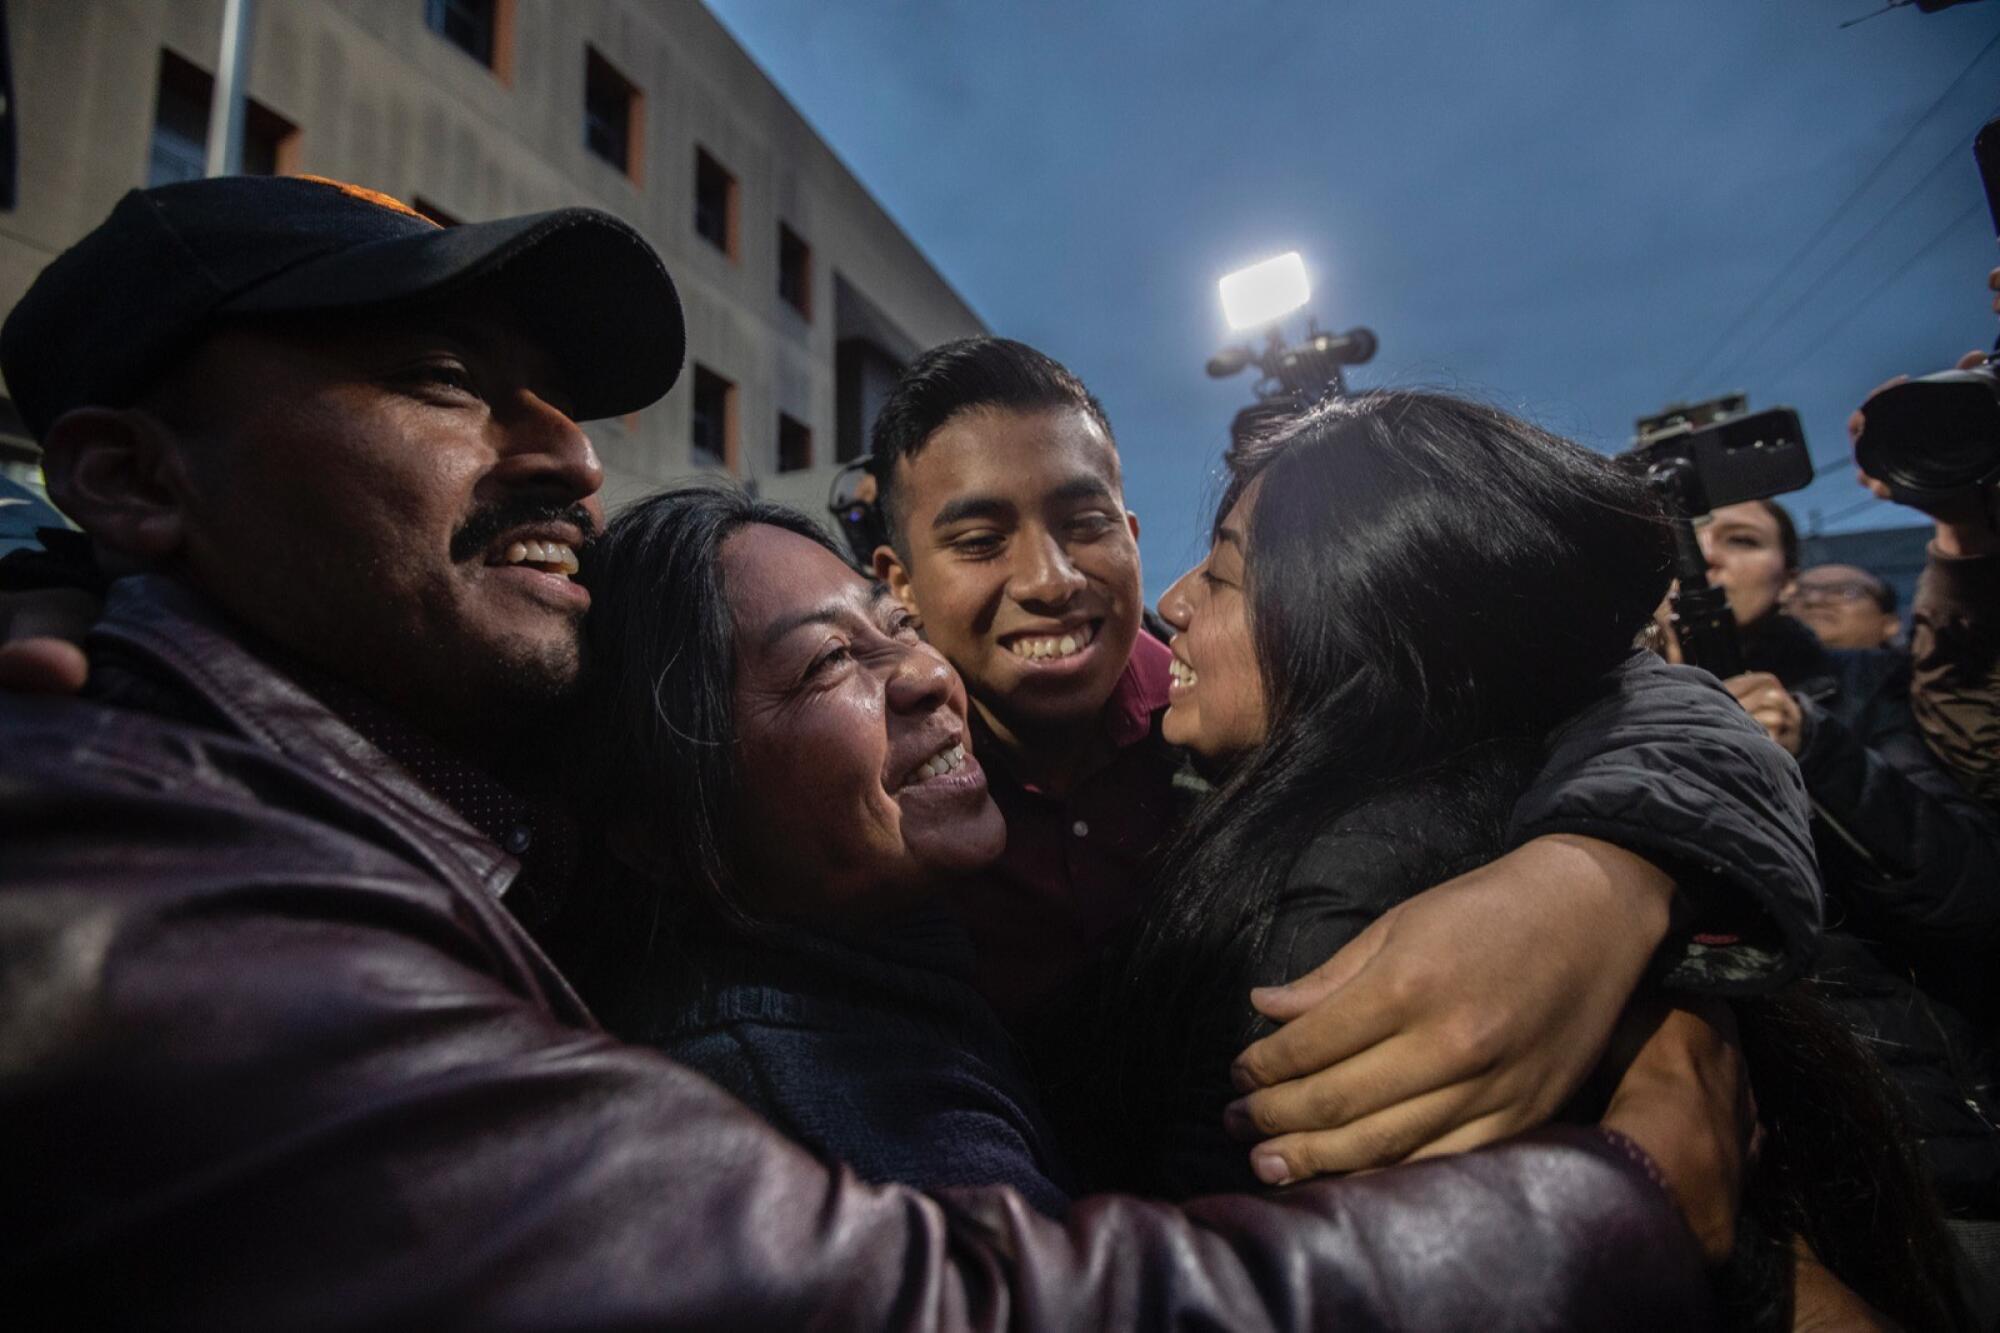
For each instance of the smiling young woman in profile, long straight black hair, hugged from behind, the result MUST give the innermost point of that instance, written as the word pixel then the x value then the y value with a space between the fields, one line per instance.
pixel 1405 595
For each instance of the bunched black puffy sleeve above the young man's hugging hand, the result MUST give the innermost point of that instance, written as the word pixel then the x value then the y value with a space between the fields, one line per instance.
pixel 1669 766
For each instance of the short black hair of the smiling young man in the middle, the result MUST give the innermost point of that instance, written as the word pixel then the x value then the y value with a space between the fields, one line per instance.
pixel 961 377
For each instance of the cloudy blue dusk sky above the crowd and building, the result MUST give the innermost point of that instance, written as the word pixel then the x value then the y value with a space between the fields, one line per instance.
pixel 1559 207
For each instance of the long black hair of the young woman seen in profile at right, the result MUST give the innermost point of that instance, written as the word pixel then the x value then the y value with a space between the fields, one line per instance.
pixel 1429 575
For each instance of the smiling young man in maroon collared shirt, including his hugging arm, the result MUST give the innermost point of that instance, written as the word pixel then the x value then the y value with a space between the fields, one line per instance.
pixel 1011 543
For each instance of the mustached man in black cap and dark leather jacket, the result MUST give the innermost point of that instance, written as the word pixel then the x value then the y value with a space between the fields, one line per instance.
pixel 275 1048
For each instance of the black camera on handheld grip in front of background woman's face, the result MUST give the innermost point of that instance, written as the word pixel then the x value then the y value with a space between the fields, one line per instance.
pixel 1699 457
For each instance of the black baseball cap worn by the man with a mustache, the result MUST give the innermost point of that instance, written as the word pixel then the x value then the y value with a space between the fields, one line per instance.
pixel 169 265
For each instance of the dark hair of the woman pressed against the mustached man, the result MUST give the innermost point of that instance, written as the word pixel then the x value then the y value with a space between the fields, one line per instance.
pixel 653 758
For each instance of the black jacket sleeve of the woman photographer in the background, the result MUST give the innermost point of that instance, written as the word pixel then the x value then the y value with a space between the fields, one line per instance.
pixel 1913 854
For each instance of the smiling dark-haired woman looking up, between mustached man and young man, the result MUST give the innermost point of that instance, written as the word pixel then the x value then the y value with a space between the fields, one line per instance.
pixel 781 774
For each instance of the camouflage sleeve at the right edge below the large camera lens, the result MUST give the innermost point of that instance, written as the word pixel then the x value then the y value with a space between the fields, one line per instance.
pixel 1955 657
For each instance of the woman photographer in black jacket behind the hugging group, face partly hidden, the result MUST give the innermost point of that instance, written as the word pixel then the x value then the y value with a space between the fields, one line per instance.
pixel 1911 866
